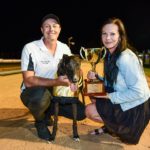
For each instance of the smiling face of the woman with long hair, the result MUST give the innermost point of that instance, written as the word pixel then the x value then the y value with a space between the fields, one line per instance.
pixel 110 36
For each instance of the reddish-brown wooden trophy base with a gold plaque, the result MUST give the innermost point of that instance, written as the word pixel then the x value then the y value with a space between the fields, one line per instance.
pixel 94 88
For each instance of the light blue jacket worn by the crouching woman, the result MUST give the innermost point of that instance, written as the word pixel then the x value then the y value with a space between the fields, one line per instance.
pixel 131 87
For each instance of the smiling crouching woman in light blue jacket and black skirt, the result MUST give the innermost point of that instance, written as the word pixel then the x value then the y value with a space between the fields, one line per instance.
pixel 125 108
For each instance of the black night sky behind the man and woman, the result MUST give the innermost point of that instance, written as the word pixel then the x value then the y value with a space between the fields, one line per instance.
pixel 20 22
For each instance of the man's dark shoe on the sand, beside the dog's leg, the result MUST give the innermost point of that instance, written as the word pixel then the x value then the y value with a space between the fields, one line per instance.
pixel 42 130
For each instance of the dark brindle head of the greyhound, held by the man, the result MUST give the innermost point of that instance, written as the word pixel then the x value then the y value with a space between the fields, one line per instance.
pixel 70 66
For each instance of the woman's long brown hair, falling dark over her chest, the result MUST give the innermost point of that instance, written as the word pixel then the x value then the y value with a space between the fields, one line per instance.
pixel 110 67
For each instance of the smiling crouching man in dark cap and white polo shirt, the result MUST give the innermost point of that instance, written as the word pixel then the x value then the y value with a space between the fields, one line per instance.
pixel 39 62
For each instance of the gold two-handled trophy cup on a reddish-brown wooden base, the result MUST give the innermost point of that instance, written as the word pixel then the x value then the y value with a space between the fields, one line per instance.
pixel 93 56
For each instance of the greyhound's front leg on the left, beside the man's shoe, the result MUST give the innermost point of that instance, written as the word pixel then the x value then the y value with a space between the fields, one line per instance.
pixel 55 120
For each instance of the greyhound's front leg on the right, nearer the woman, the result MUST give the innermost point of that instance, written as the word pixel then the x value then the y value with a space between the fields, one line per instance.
pixel 75 130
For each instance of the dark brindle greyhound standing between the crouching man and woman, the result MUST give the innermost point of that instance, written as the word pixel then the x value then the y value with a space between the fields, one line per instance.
pixel 69 66
